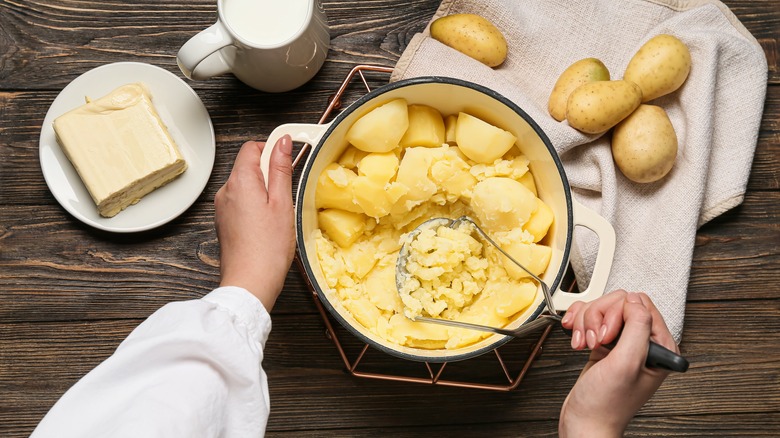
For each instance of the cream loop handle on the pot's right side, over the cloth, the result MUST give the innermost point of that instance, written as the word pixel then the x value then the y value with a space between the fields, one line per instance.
pixel 588 218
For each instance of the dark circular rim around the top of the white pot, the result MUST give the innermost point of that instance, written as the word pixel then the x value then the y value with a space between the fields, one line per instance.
pixel 305 174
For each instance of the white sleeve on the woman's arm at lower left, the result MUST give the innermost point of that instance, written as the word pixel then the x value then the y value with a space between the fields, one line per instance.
pixel 192 369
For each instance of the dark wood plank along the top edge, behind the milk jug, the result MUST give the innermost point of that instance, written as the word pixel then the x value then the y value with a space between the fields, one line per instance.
pixel 58 40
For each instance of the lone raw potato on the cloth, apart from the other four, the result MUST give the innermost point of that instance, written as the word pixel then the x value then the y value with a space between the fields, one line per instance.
pixel 473 36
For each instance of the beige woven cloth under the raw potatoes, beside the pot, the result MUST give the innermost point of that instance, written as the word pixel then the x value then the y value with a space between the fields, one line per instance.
pixel 716 115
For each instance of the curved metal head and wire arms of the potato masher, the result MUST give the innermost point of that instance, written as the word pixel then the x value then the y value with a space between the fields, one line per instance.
pixel 402 275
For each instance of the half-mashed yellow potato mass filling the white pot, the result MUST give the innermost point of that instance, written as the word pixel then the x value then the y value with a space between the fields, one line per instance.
pixel 369 201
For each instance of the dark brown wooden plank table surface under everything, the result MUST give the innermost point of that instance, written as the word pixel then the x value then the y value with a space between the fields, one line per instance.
pixel 70 293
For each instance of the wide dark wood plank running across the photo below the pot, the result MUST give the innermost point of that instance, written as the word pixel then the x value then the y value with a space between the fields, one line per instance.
pixel 45 359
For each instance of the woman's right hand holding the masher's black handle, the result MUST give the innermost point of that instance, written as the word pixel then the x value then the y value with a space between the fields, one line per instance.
pixel 614 384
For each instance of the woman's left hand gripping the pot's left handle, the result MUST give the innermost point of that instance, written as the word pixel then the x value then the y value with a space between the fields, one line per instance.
pixel 254 225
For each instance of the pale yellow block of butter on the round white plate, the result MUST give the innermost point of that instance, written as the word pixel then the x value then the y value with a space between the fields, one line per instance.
pixel 120 147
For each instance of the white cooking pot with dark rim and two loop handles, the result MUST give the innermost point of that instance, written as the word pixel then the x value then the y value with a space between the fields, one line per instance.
pixel 450 96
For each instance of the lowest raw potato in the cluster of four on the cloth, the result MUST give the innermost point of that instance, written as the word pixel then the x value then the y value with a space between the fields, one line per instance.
pixel 644 145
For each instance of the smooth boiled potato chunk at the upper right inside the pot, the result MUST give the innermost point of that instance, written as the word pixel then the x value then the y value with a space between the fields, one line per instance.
pixel 480 141
